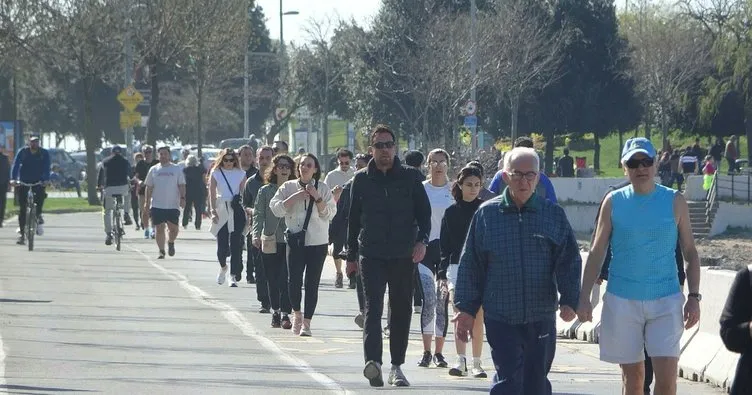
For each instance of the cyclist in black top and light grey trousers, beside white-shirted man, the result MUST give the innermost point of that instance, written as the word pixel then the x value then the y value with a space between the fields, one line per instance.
pixel 113 179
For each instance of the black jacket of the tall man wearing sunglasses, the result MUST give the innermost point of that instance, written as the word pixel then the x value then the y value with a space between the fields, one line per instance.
pixel 389 213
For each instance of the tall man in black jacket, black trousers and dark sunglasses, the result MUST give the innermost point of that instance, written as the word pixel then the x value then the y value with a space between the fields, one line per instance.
pixel 389 224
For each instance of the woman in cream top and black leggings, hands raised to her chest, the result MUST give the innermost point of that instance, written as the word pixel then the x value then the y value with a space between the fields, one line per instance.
pixel 292 201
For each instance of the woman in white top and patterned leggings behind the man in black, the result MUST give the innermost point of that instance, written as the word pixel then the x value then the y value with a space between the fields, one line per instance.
pixel 433 316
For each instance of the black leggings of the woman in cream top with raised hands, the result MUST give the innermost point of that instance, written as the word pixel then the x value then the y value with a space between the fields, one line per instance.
pixel 311 260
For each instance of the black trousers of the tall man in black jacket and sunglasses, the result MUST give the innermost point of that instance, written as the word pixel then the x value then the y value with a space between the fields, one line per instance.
pixel 400 275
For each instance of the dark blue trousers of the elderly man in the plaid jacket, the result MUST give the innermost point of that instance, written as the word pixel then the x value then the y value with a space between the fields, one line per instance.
pixel 523 355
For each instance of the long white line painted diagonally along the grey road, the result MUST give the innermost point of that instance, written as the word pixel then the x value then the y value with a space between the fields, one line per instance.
pixel 236 318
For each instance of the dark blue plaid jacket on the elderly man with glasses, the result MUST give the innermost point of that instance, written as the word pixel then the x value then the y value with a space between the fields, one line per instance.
pixel 515 260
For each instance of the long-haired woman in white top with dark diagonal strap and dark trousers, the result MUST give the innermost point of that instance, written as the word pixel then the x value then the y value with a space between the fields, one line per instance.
pixel 225 184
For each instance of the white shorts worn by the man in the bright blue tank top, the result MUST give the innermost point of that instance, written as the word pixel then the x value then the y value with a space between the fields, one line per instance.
pixel 629 326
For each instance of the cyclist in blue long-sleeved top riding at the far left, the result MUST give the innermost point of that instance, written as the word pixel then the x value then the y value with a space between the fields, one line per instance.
pixel 31 165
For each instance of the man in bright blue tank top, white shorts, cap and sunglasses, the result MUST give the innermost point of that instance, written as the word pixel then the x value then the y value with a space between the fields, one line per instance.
pixel 642 308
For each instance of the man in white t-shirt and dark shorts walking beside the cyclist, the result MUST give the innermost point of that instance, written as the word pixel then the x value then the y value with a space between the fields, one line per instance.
pixel 165 196
